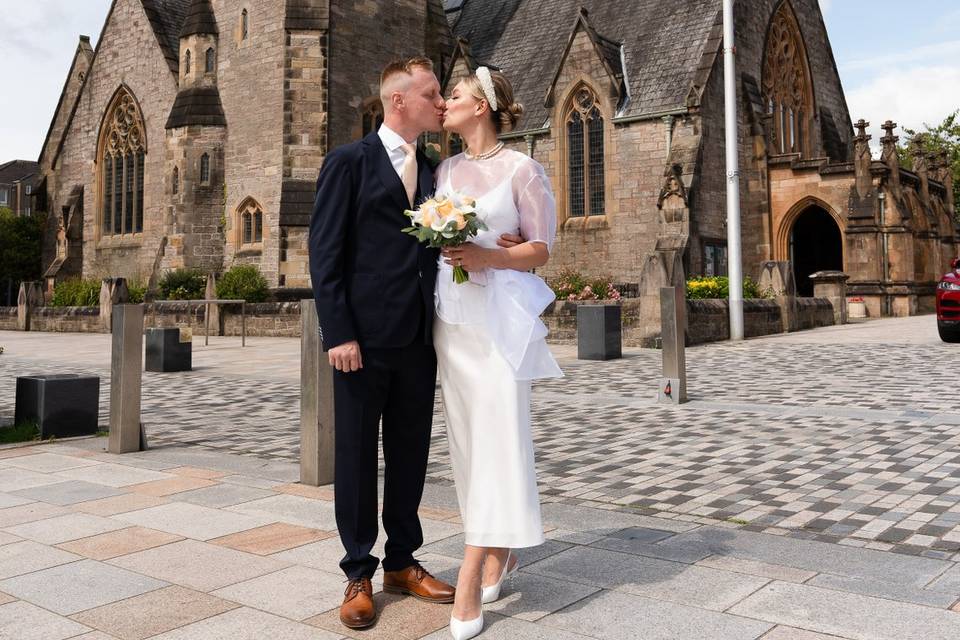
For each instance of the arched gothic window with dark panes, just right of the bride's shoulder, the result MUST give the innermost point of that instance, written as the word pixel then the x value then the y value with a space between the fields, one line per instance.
pixel 586 178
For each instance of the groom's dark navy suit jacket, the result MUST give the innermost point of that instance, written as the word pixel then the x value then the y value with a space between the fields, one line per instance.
pixel 371 282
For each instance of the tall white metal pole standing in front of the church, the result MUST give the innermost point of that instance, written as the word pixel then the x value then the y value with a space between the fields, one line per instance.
pixel 734 261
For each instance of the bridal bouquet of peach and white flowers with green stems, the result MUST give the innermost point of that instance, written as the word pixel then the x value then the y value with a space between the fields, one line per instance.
pixel 446 221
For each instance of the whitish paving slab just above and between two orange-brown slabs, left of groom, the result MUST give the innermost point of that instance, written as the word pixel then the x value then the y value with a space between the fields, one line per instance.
pixel 193 521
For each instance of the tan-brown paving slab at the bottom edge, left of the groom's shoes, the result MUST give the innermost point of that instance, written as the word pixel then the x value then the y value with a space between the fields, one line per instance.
pixel 155 612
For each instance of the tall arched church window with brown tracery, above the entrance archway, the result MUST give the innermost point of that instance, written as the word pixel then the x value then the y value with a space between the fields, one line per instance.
pixel 786 84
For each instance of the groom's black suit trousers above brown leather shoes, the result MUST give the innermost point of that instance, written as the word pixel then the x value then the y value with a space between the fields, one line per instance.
pixel 397 385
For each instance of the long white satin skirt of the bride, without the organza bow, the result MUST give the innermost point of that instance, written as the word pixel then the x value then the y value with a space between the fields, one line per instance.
pixel 491 446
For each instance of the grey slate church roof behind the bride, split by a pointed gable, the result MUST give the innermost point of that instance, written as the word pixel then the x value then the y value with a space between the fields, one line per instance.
pixel 664 43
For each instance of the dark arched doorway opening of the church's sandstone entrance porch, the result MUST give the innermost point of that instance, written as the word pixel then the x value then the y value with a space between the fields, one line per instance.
pixel 816 244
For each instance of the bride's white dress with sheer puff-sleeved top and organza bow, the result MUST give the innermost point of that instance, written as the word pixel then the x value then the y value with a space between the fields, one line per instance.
pixel 490 344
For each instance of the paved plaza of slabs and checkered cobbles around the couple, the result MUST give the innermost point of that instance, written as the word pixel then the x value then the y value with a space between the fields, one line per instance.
pixel 810 490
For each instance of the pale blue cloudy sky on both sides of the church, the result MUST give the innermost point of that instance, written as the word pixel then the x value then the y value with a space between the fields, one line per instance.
pixel 898 60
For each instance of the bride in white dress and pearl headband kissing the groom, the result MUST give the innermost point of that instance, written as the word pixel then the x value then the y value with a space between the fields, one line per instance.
pixel 490 341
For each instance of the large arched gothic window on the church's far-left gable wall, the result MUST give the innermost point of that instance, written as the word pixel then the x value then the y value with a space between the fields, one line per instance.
pixel 122 158
